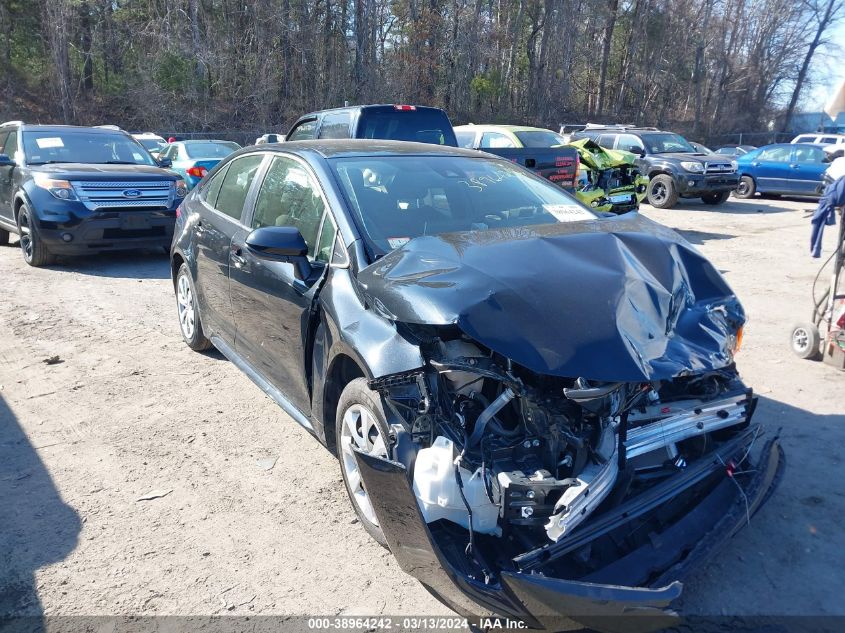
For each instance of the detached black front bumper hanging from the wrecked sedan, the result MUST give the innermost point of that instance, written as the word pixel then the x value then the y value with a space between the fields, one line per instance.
pixel 524 593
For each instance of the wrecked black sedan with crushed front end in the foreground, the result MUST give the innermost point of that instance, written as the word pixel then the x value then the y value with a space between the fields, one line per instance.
pixel 535 408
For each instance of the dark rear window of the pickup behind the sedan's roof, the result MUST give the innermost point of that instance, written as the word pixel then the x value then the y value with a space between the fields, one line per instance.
pixel 421 126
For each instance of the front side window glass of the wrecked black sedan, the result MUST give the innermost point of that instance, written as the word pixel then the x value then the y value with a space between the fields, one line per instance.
pixel 290 197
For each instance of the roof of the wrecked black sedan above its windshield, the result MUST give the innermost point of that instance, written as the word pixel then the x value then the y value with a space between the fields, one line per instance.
pixel 348 148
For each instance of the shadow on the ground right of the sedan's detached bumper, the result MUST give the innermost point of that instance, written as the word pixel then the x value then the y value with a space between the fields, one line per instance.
pixel 789 560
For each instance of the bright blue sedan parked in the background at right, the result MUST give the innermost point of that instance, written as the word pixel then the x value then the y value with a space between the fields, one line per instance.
pixel 781 169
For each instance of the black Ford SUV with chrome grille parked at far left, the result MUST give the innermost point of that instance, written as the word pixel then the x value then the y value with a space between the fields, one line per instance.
pixel 70 190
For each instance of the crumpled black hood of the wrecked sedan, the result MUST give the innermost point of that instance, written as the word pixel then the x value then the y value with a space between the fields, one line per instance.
pixel 615 299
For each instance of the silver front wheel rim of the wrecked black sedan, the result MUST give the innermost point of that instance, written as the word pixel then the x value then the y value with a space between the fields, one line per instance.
pixel 361 430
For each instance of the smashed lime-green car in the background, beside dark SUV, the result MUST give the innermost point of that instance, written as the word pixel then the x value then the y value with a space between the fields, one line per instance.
pixel 610 179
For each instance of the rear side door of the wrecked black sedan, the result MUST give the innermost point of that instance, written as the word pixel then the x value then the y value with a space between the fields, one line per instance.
pixel 223 199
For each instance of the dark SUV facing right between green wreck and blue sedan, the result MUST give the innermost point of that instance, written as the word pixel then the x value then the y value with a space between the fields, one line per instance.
pixel 674 167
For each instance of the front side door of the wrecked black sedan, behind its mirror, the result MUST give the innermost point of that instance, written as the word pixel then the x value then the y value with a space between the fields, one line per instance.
pixel 272 307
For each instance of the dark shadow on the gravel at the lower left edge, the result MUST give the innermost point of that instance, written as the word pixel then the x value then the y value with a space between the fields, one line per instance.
pixel 36 527
